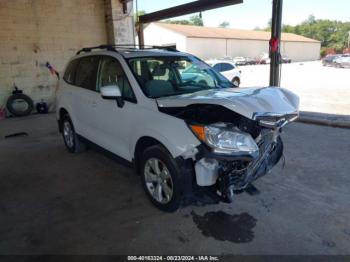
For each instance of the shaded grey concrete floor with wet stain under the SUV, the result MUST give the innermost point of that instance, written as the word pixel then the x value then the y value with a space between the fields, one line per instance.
pixel 54 202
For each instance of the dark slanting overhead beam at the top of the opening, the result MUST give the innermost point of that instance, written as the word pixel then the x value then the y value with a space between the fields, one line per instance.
pixel 185 9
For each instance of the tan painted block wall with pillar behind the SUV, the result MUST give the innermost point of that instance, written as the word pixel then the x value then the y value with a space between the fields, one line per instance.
pixel 34 32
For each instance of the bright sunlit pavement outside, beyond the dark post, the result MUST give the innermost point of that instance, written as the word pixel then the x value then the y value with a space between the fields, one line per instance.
pixel 321 89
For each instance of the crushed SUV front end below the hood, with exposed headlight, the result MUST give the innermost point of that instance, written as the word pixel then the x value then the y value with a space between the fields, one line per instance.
pixel 248 149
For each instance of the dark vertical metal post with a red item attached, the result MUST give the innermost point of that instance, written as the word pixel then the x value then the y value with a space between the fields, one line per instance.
pixel 275 42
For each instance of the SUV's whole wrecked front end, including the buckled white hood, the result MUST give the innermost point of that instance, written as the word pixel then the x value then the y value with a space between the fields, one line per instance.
pixel 240 134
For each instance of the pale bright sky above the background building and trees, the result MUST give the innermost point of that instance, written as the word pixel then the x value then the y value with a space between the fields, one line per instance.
pixel 256 13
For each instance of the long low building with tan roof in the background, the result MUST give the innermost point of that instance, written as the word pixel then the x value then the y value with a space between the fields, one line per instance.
pixel 210 42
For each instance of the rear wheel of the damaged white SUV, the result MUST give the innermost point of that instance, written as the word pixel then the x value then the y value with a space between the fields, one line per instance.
pixel 70 138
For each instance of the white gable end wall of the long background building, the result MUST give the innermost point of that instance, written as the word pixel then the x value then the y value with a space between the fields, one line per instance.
pixel 156 35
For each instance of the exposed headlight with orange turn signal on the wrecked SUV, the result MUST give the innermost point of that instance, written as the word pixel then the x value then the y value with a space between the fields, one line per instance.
pixel 225 139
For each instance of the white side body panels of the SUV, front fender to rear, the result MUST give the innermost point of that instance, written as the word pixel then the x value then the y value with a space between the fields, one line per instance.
pixel 118 129
